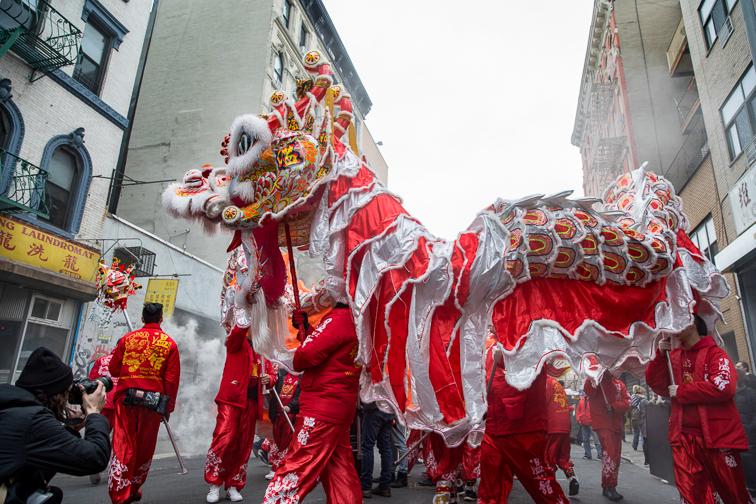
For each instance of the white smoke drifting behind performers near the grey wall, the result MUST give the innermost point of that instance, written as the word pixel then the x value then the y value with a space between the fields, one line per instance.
pixel 193 420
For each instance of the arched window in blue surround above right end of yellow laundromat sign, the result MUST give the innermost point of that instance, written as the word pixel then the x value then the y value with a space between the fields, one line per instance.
pixel 63 174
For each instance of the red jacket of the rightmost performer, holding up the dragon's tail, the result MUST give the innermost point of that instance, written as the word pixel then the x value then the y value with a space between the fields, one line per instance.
pixel 707 379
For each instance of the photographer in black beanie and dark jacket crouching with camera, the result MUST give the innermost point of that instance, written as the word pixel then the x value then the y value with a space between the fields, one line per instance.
pixel 35 443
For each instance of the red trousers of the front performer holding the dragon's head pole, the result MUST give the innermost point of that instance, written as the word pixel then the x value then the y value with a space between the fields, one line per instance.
pixel 320 450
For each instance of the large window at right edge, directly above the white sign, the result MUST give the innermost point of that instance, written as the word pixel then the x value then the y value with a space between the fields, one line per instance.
pixel 738 114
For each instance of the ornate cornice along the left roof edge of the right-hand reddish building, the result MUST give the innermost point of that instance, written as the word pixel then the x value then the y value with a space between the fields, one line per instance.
pixel 599 23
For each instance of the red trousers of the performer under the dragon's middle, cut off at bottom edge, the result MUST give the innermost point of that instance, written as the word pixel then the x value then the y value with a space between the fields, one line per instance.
pixel 501 457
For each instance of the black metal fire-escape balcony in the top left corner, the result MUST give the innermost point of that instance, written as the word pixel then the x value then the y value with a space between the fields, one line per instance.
pixel 38 33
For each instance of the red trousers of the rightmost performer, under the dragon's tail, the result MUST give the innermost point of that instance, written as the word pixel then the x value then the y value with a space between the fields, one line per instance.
pixel 701 472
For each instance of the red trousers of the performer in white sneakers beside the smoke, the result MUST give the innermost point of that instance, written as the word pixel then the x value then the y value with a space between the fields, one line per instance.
pixel 234 433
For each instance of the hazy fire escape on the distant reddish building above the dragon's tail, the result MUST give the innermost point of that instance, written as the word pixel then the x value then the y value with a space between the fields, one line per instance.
pixel 607 153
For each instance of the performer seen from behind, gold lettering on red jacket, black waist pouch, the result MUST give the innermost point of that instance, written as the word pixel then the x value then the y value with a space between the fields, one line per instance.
pixel 144 360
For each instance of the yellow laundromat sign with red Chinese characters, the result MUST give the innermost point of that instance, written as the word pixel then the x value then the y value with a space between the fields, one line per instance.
pixel 29 245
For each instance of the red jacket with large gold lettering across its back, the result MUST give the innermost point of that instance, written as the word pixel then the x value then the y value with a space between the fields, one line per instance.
pixel 147 359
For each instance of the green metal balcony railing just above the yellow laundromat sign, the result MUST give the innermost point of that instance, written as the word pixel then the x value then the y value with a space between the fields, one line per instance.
pixel 22 186
